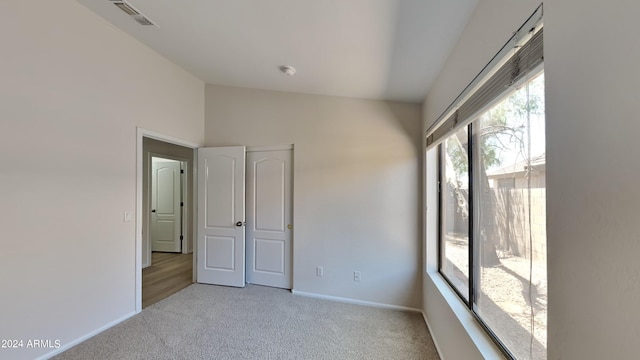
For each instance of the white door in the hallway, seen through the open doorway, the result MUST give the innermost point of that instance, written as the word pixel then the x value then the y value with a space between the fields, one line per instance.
pixel 166 212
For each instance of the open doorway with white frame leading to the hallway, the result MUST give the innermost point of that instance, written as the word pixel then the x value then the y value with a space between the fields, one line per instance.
pixel 166 218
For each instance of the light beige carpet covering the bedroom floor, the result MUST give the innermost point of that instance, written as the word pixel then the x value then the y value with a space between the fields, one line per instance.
pixel 214 322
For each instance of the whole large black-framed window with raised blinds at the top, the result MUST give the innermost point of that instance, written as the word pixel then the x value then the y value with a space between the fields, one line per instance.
pixel 492 195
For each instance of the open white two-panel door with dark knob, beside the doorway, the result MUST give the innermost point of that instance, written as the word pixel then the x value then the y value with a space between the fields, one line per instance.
pixel 221 211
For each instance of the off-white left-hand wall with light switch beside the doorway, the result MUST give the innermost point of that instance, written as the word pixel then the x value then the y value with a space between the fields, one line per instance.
pixel 72 91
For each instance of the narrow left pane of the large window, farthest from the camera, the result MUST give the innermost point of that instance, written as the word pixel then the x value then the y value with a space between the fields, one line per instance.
pixel 454 214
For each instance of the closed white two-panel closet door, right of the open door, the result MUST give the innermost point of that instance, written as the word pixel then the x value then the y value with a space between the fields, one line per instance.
pixel 269 226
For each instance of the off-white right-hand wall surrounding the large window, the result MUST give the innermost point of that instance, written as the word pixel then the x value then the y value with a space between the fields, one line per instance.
pixel 591 57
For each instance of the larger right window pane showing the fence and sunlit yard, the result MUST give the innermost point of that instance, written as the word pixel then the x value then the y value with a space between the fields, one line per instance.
pixel 510 220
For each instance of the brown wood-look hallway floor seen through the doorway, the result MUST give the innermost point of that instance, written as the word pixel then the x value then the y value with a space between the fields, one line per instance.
pixel 168 274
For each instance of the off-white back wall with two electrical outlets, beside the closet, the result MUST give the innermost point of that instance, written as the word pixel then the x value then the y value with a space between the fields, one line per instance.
pixel 356 177
